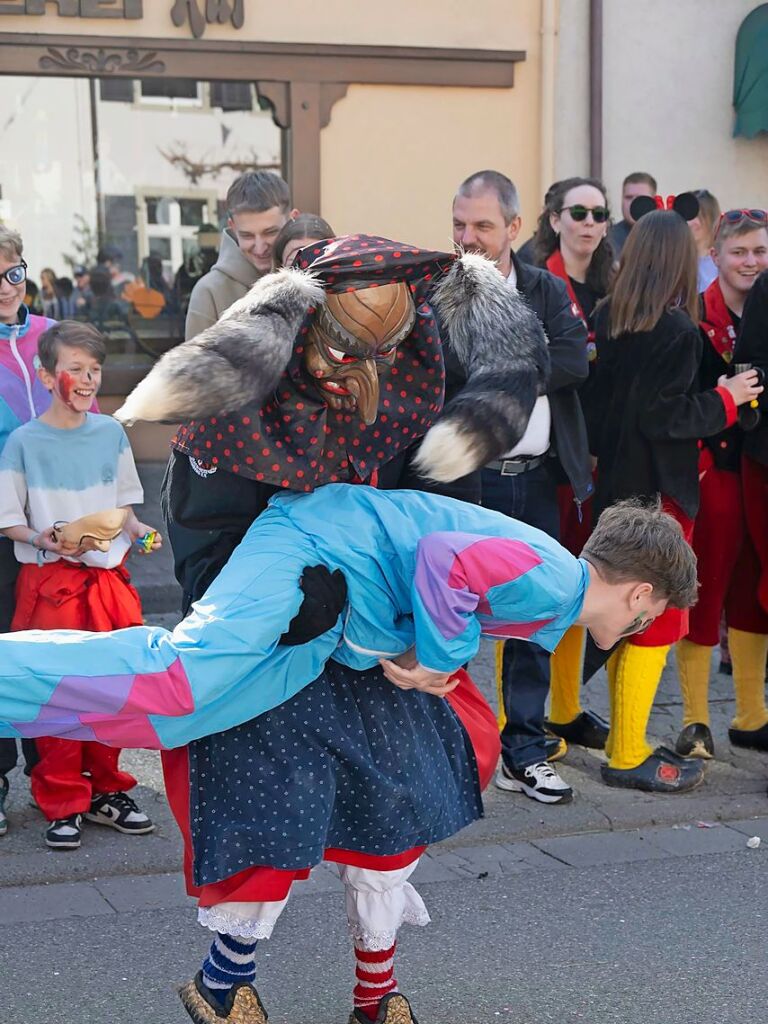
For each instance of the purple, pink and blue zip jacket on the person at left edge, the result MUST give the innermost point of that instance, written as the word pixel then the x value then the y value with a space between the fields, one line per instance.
pixel 22 396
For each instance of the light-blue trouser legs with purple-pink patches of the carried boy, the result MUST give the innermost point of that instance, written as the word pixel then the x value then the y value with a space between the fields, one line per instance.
pixel 146 687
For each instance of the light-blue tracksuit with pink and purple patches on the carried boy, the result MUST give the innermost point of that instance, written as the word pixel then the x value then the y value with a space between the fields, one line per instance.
pixel 421 570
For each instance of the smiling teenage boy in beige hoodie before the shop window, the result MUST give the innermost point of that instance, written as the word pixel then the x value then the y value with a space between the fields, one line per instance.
pixel 259 204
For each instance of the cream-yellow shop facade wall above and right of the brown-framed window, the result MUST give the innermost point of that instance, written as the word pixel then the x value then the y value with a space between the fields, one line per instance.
pixel 393 156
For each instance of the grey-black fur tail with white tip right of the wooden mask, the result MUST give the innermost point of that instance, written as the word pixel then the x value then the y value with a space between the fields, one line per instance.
pixel 502 348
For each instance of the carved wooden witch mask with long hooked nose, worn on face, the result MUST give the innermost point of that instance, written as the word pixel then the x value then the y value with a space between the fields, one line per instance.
pixel 354 340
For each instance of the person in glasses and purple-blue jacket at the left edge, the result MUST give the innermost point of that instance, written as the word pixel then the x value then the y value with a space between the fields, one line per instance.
pixel 22 398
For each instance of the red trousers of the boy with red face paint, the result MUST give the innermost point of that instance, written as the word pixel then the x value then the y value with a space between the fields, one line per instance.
pixel 69 596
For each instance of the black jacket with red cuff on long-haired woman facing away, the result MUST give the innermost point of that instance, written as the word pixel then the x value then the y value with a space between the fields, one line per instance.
pixel 646 413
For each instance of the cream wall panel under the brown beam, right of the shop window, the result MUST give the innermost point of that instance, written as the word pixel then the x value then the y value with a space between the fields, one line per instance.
pixel 393 157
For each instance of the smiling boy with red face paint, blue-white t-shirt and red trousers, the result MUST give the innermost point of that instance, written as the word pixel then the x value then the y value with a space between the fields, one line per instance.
pixel 67 463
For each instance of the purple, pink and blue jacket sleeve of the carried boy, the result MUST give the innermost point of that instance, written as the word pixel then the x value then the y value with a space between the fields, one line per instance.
pixel 468 585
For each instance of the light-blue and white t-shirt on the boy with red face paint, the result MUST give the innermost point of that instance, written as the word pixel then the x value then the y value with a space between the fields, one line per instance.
pixel 50 476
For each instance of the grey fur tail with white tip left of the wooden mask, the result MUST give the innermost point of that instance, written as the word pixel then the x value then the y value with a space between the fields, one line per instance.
pixel 238 360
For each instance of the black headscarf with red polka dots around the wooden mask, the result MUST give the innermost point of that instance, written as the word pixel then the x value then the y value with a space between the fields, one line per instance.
pixel 295 441
